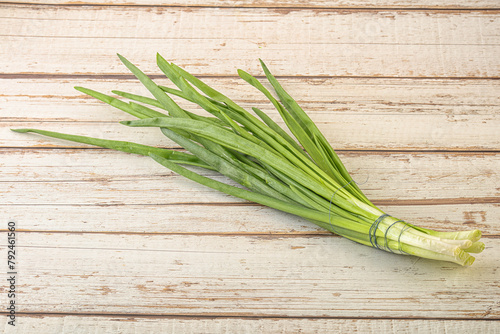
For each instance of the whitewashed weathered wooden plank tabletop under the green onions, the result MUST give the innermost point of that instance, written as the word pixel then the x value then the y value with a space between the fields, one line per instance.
pixel 107 242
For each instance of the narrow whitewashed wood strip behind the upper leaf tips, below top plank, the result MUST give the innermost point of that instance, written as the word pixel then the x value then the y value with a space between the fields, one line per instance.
pixel 55 99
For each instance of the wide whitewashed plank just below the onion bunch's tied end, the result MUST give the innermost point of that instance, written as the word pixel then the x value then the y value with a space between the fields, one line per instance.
pixel 242 276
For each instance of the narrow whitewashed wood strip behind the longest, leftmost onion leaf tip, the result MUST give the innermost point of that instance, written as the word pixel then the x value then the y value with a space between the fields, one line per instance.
pixel 344 132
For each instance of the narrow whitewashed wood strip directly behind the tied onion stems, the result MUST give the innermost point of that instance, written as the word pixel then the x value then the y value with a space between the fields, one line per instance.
pixel 229 218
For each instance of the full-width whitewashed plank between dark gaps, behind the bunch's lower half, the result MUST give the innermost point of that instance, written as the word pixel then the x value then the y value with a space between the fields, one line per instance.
pixel 442 191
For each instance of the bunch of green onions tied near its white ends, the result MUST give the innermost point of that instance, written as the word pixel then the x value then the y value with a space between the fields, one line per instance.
pixel 301 175
